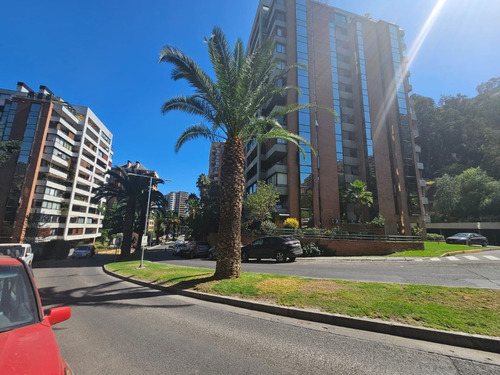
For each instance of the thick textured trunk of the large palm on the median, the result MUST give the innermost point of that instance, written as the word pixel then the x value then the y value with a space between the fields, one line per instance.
pixel 231 200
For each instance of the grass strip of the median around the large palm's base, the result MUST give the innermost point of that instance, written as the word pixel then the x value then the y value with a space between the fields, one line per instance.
pixel 457 309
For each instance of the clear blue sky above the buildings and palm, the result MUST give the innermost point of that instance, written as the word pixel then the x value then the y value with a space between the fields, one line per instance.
pixel 103 54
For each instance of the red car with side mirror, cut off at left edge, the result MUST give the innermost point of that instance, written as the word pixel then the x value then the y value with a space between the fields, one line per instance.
pixel 27 343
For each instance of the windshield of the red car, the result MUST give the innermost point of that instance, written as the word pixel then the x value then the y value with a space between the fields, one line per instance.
pixel 17 301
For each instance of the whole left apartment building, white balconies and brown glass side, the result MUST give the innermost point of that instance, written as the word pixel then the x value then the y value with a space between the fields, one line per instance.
pixel 65 153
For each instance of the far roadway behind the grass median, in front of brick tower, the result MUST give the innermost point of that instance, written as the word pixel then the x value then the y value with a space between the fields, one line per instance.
pixel 457 271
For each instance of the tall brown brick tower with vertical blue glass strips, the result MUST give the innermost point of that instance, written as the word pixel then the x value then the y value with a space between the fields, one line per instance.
pixel 358 67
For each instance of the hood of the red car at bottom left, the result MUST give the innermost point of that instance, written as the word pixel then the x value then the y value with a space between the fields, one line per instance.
pixel 30 350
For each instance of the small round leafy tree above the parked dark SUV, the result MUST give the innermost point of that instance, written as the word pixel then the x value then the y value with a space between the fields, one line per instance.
pixel 262 202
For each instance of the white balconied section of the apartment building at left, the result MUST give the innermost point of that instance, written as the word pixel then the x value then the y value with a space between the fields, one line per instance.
pixel 75 158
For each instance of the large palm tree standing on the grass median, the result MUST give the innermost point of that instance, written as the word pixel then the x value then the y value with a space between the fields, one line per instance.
pixel 231 106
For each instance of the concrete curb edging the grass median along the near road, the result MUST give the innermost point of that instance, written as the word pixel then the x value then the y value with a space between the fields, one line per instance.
pixel 465 340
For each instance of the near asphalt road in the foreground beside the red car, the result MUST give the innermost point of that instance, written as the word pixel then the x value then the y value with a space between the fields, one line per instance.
pixel 120 328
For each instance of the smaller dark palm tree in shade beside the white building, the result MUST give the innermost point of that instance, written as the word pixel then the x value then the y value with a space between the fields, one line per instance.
pixel 126 189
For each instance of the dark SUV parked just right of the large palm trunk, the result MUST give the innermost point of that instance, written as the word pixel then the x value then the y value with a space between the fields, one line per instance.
pixel 277 247
